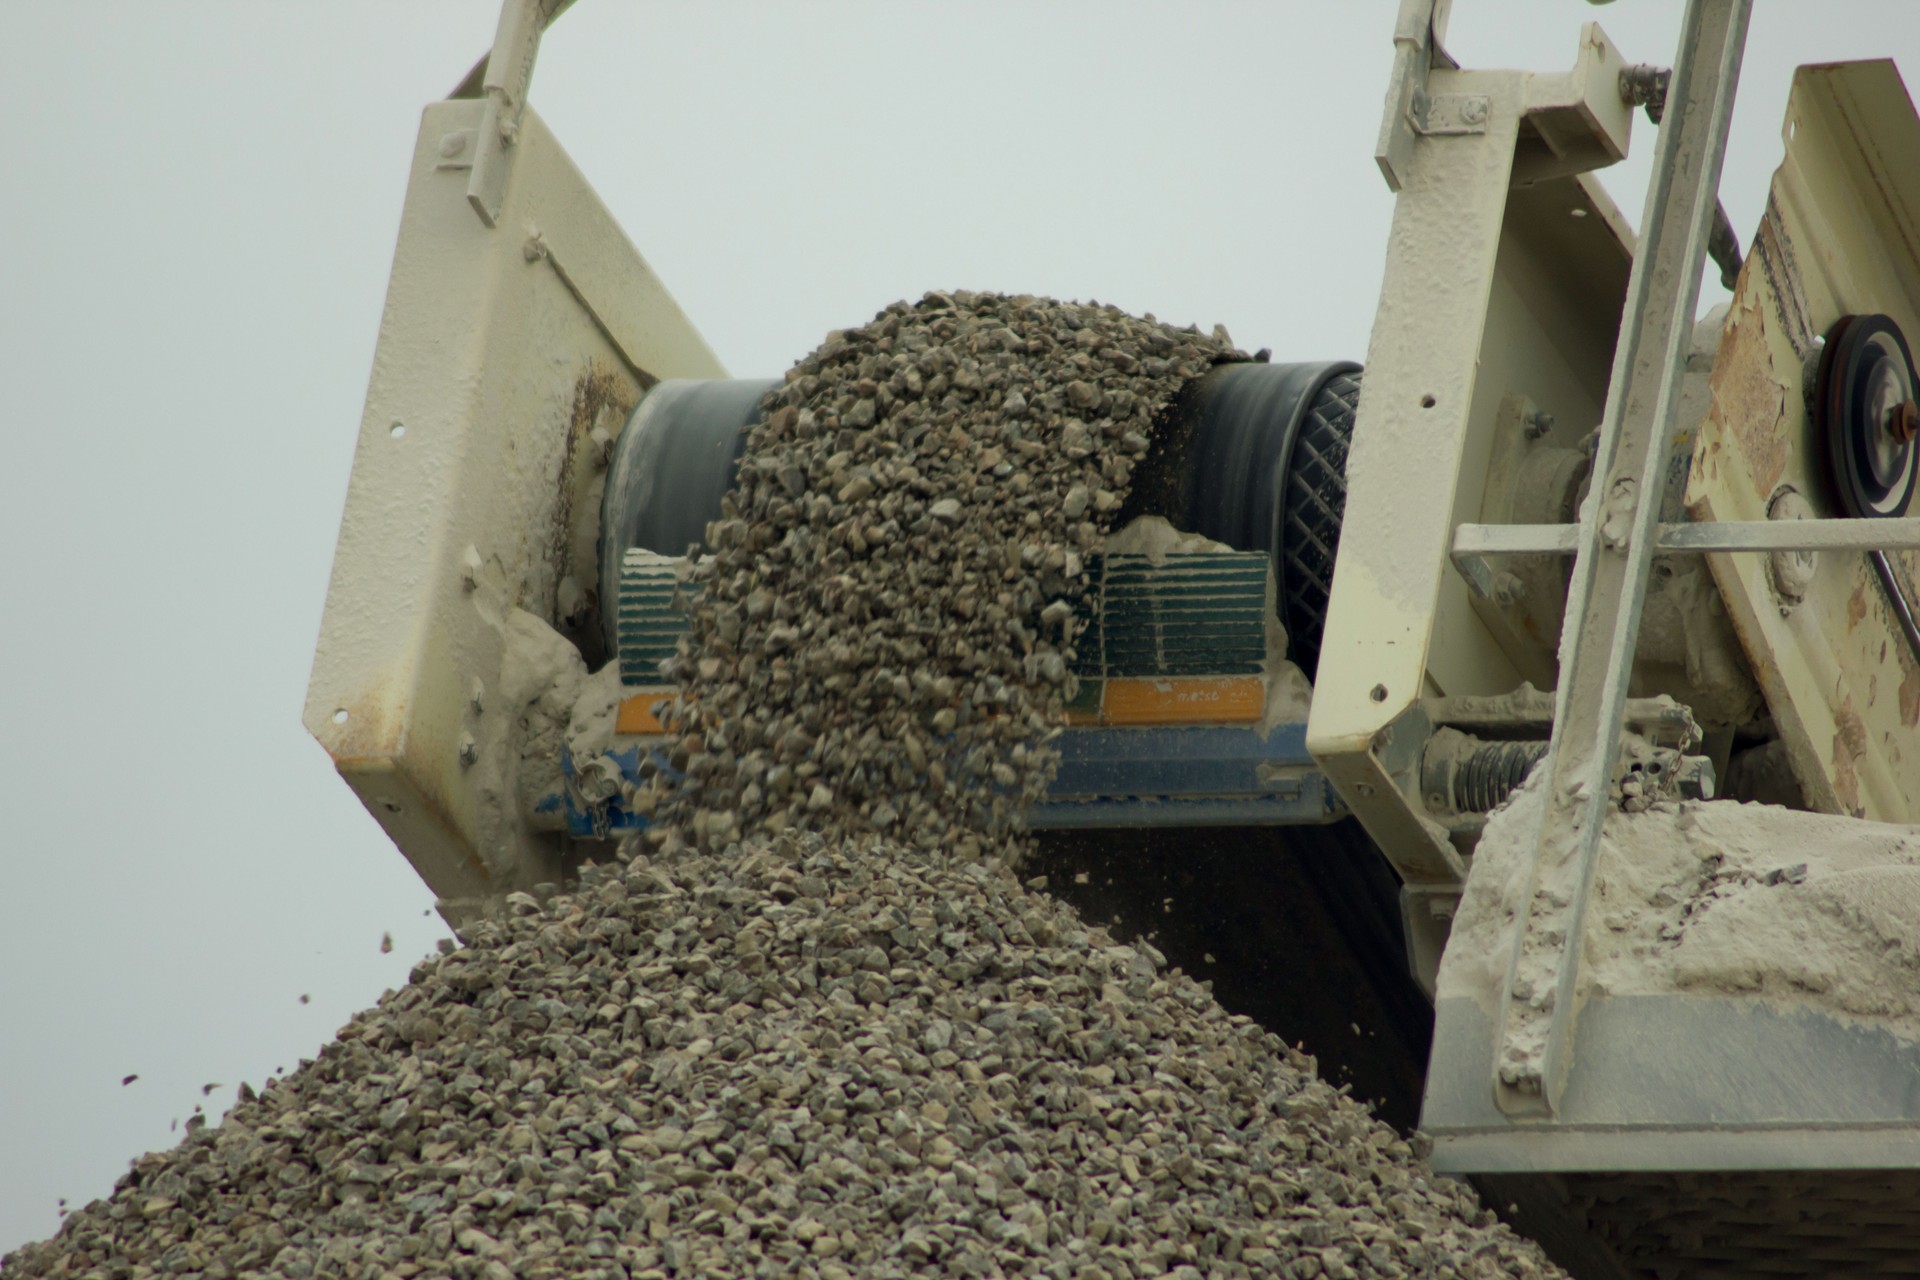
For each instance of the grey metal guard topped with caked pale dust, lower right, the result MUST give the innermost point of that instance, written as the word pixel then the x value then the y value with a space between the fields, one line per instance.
pixel 1748 1020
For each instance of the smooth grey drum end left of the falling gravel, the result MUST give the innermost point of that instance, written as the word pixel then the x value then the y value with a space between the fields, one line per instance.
pixel 669 471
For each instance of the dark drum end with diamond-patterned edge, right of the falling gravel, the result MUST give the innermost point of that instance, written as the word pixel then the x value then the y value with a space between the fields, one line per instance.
pixel 1260 462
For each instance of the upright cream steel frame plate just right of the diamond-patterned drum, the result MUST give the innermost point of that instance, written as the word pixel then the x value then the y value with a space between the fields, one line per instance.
pixel 1506 272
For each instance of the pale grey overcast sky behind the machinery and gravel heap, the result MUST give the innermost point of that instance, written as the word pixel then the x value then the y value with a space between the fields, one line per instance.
pixel 197 218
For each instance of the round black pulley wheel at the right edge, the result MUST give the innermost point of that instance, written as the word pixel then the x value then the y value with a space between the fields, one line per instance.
pixel 1865 417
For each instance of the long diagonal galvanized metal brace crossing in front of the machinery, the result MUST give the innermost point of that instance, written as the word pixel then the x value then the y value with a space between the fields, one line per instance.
pixel 1616 554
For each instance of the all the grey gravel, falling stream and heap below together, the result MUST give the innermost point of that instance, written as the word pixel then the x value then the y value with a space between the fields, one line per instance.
pixel 817 1026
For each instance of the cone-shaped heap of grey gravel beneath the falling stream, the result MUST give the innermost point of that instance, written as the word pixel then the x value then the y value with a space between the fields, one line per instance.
pixel 794 1060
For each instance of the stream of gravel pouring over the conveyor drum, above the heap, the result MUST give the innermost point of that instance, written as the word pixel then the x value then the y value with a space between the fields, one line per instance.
pixel 880 640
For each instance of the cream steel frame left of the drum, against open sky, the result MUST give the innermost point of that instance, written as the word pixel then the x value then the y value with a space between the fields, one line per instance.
pixel 502 348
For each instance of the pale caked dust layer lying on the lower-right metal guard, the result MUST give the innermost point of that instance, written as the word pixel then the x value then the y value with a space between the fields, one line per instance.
pixel 1721 899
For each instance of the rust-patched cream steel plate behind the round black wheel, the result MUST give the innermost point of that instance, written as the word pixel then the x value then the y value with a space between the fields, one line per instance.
pixel 1840 237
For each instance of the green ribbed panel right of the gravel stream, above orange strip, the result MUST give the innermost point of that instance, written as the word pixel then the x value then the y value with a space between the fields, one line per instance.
pixel 1191 615
